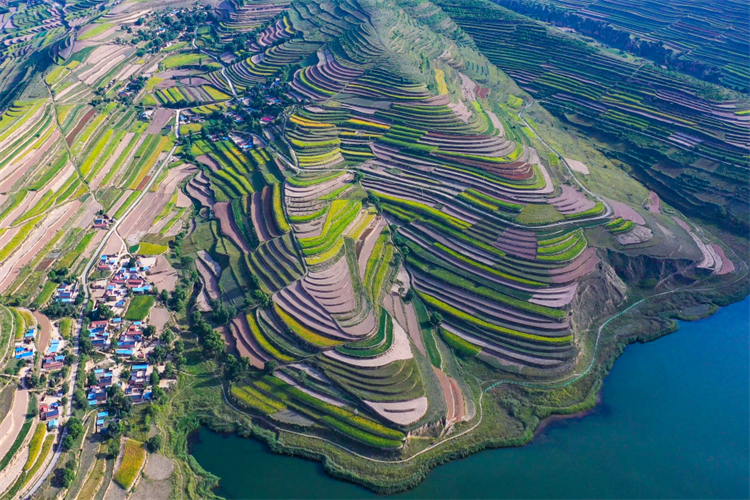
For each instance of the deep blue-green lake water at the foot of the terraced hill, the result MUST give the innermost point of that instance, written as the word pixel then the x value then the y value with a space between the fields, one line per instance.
pixel 674 423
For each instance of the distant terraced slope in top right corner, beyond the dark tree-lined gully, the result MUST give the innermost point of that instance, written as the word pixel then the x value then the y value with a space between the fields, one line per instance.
pixel 710 43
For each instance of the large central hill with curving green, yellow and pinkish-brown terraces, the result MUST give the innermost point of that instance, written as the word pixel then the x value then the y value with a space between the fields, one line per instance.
pixel 410 215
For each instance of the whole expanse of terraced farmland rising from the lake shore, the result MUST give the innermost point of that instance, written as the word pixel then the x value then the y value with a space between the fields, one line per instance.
pixel 380 233
